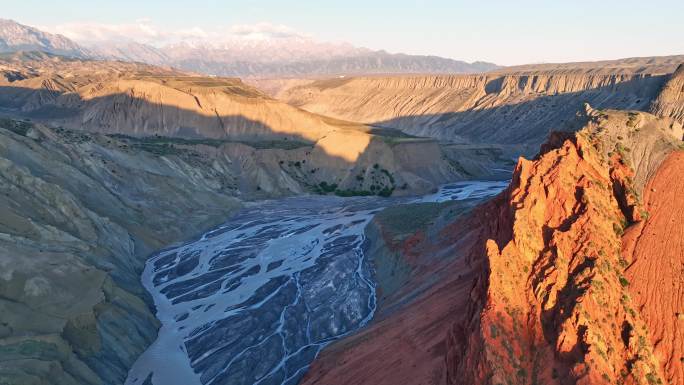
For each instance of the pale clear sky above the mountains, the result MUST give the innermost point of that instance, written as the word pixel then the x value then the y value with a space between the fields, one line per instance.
pixel 504 32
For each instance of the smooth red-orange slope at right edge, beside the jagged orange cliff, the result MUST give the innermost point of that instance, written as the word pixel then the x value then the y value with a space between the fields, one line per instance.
pixel 654 250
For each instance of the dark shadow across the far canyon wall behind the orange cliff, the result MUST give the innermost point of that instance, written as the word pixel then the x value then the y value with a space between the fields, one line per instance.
pixel 527 122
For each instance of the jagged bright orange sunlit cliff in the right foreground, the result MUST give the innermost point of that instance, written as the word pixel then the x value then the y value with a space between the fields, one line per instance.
pixel 552 304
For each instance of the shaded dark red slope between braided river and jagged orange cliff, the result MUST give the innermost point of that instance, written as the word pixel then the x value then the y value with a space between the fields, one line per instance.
pixel 406 343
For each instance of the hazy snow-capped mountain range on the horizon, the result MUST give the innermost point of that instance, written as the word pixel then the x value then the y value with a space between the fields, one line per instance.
pixel 242 56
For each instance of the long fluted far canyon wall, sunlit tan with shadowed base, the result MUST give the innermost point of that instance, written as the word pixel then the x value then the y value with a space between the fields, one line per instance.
pixel 518 108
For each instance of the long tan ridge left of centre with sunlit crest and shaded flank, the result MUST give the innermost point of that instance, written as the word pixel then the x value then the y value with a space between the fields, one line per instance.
pixel 150 102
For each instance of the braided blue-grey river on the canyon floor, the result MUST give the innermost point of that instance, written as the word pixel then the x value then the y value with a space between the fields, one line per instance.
pixel 256 299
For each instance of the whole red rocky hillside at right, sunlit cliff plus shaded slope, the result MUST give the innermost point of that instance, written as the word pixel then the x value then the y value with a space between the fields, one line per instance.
pixel 539 290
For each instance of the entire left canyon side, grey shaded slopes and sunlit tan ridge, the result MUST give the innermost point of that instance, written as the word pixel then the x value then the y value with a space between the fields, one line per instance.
pixel 105 162
